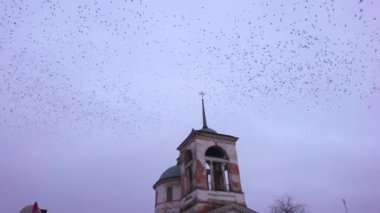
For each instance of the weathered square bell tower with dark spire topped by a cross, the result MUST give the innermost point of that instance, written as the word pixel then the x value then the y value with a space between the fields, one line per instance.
pixel 209 168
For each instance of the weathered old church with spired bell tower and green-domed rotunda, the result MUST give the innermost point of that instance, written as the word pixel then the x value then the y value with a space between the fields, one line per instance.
pixel 206 177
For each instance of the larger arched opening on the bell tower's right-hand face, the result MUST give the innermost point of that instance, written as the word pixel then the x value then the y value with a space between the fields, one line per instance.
pixel 217 169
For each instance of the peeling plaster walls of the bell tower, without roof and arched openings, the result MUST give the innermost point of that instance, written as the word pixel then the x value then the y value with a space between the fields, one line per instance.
pixel 200 199
